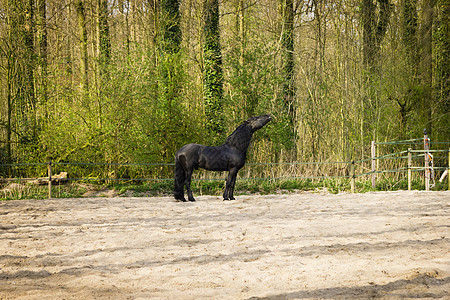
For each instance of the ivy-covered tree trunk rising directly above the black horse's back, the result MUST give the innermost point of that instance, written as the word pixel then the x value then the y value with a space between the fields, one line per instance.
pixel 212 73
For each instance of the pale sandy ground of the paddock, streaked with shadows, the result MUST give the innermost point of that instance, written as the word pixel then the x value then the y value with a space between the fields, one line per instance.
pixel 377 245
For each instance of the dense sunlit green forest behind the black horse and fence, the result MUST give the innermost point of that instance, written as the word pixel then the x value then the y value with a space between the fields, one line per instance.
pixel 116 81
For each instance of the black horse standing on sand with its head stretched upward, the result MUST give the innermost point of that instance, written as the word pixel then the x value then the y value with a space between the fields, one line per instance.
pixel 227 157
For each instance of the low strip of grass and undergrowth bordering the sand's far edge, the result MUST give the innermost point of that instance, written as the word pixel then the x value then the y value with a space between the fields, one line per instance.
pixel 17 191
